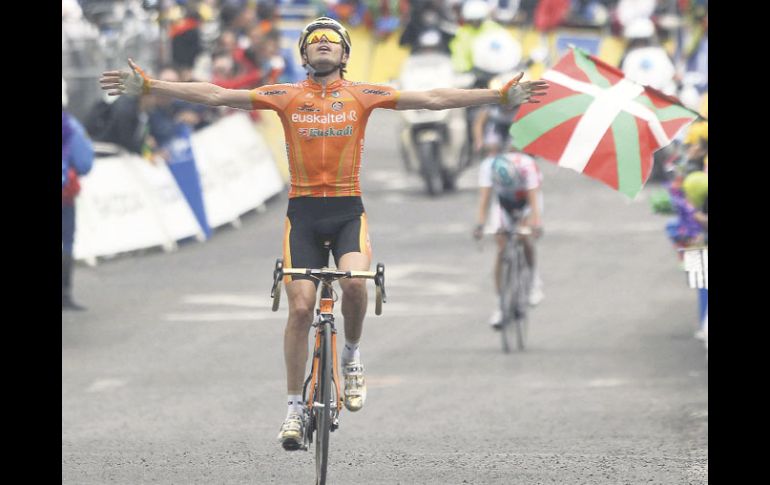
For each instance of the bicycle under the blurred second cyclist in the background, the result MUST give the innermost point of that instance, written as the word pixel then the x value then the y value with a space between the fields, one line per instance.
pixel 515 285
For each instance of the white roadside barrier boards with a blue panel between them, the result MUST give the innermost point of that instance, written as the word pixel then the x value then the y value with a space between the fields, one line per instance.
pixel 128 204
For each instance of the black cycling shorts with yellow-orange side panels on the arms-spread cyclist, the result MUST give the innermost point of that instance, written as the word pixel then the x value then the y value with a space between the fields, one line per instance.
pixel 316 226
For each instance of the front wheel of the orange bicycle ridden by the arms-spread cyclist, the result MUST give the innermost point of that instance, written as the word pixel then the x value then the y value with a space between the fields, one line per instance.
pixel 322 408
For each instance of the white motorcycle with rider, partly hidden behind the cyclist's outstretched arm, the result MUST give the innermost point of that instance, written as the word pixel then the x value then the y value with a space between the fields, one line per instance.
pixel 435 143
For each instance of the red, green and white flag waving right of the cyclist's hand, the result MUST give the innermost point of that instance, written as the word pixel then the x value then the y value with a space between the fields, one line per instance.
pixel 598 123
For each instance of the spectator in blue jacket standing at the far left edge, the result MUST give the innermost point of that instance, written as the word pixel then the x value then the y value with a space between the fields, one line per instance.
pixel 77 157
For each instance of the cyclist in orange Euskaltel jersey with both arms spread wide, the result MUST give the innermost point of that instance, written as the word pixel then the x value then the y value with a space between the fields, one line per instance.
pixel 324 119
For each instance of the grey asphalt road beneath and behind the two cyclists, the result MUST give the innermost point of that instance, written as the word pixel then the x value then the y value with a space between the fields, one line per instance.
pixel 175 373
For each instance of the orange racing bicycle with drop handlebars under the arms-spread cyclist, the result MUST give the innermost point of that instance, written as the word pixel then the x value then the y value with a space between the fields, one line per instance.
pixel 322 416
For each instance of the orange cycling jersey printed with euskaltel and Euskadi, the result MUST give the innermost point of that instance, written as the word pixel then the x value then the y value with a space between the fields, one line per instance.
pixel 324 130
